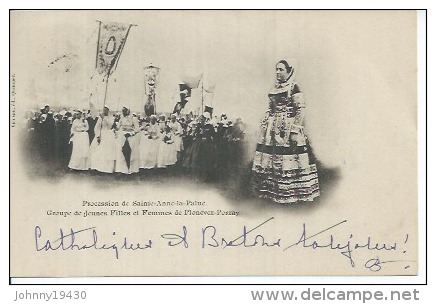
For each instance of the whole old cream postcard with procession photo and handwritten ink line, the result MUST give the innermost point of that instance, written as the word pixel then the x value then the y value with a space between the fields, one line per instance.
pixel 213 143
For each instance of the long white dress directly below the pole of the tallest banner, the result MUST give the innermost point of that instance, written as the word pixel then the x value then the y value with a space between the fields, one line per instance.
pixel 102 155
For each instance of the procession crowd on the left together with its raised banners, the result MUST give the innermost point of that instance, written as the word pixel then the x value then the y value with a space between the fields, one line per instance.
pixel 107 139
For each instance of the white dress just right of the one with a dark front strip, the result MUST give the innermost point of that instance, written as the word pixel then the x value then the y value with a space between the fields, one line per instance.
pixel 149 147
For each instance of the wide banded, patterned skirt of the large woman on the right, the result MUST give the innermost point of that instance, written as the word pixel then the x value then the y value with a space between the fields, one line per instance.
pixel 284 170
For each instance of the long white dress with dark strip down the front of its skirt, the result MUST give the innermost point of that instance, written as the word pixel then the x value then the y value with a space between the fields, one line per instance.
pixel 127 125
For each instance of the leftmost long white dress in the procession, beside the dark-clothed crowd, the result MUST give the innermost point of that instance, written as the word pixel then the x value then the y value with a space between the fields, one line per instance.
pixel 79 157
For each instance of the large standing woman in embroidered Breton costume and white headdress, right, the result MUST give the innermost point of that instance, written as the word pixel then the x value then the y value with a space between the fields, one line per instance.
pixel 283 172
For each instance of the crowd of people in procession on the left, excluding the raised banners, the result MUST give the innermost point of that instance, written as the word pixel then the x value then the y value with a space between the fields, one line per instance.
pixel 127 143
